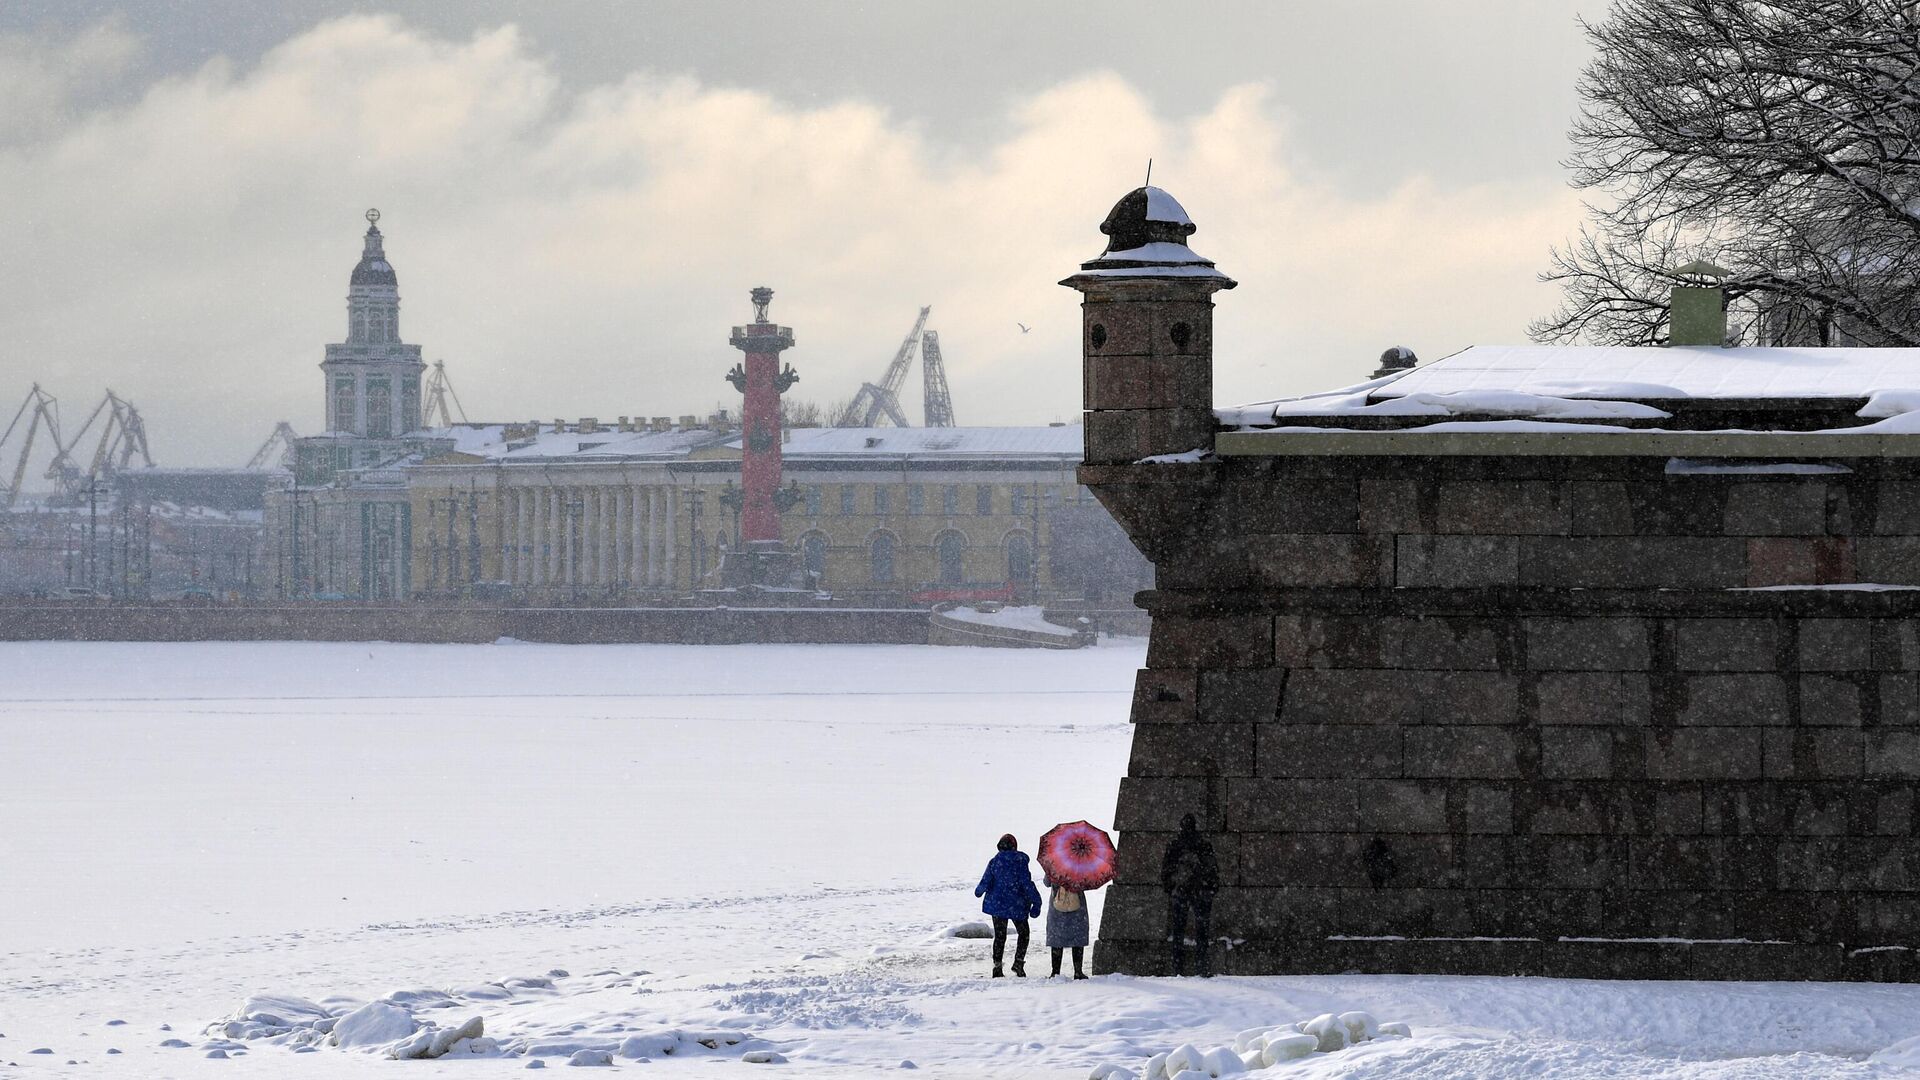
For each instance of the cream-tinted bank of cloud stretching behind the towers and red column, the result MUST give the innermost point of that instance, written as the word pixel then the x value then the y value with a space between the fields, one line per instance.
pixel 585 251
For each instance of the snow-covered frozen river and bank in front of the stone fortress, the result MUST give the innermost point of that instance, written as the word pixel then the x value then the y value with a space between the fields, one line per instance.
pixel 636 848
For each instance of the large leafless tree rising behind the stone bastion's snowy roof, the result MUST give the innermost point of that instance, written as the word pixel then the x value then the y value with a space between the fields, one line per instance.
pixel 1779 139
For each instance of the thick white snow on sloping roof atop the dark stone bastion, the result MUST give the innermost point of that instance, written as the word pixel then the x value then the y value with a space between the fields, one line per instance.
pixel 1652 374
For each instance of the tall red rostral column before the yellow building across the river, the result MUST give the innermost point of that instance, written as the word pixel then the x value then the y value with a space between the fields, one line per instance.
pixel 761 380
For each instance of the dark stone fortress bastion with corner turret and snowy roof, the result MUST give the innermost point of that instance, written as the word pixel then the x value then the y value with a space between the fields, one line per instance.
pixel 1583 662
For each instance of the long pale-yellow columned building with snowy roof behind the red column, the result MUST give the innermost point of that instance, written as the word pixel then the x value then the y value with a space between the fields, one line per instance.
pixel 587 514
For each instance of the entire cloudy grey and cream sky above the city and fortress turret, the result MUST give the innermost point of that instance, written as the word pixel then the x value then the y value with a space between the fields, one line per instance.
pixel 579 195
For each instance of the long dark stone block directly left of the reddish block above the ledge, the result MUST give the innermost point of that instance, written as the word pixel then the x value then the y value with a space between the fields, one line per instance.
pixel 1633 562
